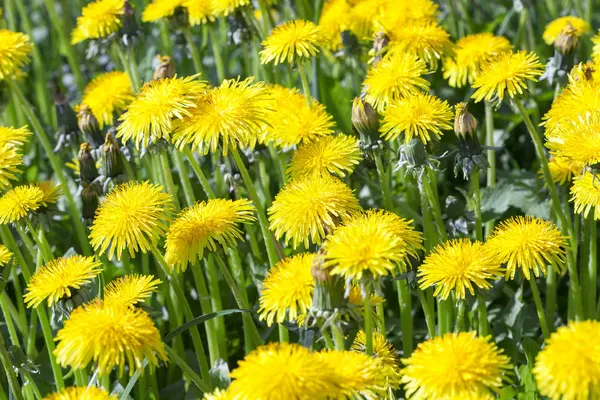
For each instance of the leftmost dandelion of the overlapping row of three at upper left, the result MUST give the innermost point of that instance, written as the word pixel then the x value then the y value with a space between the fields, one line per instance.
pixel 150 116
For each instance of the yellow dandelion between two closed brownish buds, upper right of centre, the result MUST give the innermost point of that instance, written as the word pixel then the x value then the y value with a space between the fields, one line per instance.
pixel 420 116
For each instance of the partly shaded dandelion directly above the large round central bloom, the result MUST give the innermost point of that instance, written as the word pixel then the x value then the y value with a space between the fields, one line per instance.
pixel 336 155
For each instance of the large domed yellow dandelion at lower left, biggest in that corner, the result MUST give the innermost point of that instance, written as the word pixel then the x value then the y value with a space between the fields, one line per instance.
pixel 111 336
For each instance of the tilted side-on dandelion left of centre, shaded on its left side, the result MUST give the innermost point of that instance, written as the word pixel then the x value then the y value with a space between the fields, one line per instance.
pixel 205 225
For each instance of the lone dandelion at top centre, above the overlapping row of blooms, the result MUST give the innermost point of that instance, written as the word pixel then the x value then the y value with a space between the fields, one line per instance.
pixel 291 42
